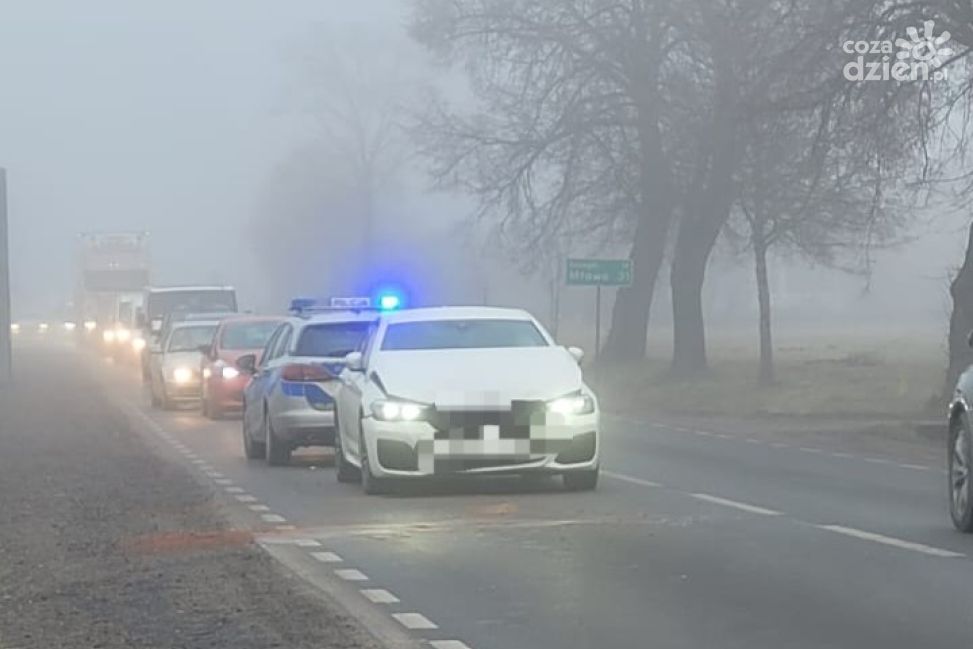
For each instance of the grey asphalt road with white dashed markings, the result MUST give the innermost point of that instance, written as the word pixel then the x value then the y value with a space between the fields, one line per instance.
pixel 695 538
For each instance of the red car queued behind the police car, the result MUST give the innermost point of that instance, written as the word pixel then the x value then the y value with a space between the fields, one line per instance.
pixel 222 383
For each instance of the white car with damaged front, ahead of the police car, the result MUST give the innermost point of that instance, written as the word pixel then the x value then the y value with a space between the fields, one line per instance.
pixel 464 390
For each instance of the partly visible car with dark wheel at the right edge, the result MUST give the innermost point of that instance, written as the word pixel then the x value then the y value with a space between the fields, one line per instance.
pixel 960 451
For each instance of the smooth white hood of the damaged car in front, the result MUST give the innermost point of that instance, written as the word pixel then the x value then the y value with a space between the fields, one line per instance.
pixel 478 377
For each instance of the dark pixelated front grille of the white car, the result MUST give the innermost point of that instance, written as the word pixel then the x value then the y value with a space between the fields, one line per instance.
pixel 514 423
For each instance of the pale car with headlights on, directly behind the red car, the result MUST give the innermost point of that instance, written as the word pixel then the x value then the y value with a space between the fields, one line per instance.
pixel 174 365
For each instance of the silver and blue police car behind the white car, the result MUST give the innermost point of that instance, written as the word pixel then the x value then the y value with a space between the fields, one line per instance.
pixel 289 400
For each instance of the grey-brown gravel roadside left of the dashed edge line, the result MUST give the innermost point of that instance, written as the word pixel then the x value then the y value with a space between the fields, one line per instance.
pixel 104 544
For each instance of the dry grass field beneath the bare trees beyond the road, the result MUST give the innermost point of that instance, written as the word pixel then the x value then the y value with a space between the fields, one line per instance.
pixel 852 374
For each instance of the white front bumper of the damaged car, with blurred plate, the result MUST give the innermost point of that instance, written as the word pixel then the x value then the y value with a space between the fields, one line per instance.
pixel 563 444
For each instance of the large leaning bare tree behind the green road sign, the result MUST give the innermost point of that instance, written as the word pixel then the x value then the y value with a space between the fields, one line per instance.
pixel 567 137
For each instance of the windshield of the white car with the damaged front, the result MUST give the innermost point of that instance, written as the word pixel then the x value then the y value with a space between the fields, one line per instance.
pixel 462 334
